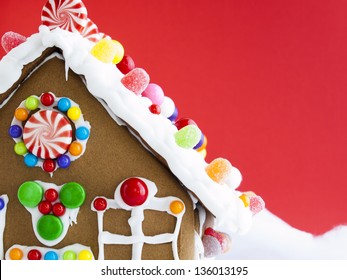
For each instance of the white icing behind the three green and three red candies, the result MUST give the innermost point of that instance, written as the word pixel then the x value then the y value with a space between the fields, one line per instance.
pixel 67 219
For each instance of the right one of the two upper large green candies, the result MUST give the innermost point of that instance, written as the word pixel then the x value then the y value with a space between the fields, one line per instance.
pixel 72 195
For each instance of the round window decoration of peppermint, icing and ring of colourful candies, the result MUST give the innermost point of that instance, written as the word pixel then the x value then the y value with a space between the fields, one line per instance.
pixel 43 133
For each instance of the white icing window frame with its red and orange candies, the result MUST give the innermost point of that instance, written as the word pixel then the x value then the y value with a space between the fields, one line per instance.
pixel 127 200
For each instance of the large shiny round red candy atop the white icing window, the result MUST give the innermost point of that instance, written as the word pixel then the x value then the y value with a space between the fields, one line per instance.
pixel 134 192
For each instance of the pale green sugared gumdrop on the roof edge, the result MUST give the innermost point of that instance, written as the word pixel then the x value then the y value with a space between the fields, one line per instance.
pixel 188 136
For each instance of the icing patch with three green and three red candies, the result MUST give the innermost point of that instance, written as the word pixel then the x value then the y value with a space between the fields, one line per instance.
pixel 53 208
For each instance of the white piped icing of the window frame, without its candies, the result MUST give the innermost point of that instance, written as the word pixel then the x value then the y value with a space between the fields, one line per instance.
pixel 137 237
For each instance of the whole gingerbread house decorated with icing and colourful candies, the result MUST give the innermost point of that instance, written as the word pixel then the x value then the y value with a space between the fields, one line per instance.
pixel 95 163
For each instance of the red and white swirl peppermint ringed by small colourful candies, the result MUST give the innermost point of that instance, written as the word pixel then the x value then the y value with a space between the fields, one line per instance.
pixel 47 134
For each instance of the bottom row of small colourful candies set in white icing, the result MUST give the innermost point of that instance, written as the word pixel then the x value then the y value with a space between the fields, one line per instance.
pixel 70 252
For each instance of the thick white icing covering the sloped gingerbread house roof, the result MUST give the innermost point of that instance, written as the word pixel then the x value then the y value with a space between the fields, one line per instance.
pixel 155 132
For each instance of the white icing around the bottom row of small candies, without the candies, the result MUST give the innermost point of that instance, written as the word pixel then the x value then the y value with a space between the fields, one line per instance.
pixel 77 248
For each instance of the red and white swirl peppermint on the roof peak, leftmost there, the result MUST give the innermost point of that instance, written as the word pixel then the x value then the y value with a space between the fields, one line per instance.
pixel 70 15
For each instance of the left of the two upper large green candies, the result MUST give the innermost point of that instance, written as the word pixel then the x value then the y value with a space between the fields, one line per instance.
pixel 30 194
